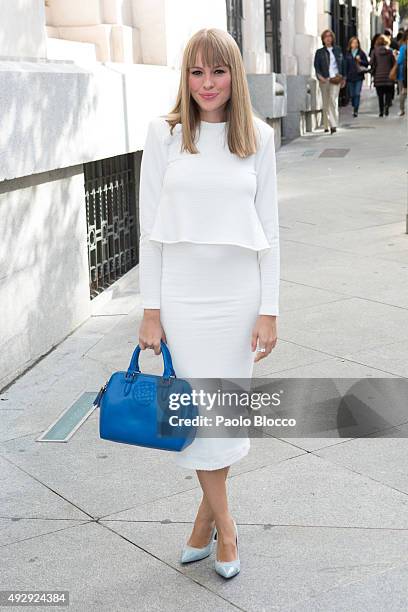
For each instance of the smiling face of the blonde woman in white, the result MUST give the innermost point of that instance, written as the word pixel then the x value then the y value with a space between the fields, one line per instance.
pixel 210 86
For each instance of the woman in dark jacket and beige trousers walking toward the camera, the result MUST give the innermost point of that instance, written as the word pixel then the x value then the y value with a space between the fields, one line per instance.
pixel 330 70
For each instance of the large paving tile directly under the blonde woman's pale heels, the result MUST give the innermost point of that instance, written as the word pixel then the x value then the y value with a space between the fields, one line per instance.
pixel 280 565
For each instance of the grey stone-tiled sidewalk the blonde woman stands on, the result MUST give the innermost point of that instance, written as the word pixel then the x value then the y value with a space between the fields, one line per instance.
pixel 323 523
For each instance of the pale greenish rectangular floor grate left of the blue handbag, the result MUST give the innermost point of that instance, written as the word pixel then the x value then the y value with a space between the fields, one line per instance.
pixel 70 420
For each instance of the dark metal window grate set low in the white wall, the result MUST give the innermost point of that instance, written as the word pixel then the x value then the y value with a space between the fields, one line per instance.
pixel 111 209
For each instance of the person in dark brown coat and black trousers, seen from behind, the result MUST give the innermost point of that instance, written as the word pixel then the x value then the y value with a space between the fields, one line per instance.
pixel 382 60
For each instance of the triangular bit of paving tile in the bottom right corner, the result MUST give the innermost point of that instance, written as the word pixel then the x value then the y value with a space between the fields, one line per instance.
pixel 383 591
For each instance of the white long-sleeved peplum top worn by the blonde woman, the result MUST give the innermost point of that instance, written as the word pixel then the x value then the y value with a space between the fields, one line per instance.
pixel 212 197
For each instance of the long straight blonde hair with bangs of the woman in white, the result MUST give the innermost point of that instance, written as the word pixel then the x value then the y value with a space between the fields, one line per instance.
pixel 217 48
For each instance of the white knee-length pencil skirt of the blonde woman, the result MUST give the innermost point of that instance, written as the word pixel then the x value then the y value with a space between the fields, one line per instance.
pixel 210 298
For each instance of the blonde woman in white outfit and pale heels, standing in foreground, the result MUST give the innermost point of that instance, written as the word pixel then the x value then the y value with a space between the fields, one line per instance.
pixel 209 255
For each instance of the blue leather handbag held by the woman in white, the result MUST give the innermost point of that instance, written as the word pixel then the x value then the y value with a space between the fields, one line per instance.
pixel 135 408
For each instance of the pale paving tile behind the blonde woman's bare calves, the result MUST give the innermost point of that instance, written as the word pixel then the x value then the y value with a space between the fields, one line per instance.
pixel 305 490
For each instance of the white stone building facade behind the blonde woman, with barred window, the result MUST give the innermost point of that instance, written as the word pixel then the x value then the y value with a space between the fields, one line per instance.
pixel 80 81
